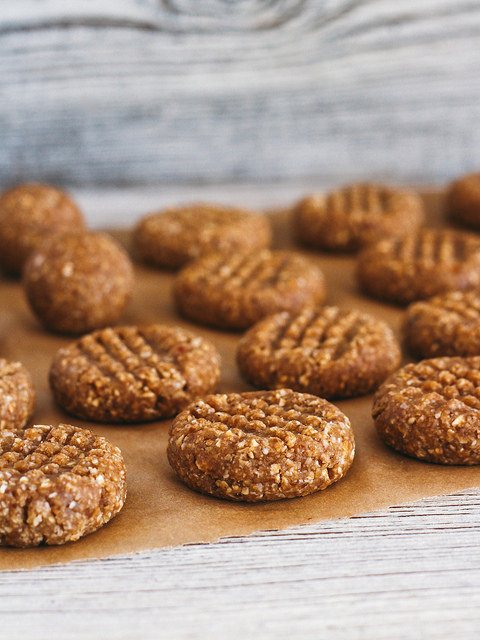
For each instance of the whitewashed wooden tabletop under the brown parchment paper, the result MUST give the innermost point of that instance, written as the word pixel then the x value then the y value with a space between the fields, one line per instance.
pixel 409 572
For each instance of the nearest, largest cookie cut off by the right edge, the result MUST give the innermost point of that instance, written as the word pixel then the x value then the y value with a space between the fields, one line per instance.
pixel 431 410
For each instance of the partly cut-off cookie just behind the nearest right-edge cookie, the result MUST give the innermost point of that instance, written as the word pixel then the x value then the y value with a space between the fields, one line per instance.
pixel 446 325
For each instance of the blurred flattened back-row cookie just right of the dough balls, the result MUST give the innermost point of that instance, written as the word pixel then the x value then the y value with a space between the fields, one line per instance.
pixel 173 237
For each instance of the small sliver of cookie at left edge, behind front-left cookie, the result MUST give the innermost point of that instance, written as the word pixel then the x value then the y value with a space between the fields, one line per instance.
pixel 17 396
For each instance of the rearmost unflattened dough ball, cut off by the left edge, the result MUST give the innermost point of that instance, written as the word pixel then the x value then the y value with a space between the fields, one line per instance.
pixel 28 214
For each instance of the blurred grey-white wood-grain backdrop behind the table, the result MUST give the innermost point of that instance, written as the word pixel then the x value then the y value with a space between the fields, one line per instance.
pixel 161 91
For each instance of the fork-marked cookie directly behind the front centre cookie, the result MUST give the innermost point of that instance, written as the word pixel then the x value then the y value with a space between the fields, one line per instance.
pixel 326 351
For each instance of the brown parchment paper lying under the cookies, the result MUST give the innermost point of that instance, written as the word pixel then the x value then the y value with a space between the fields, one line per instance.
pixel 160 511
